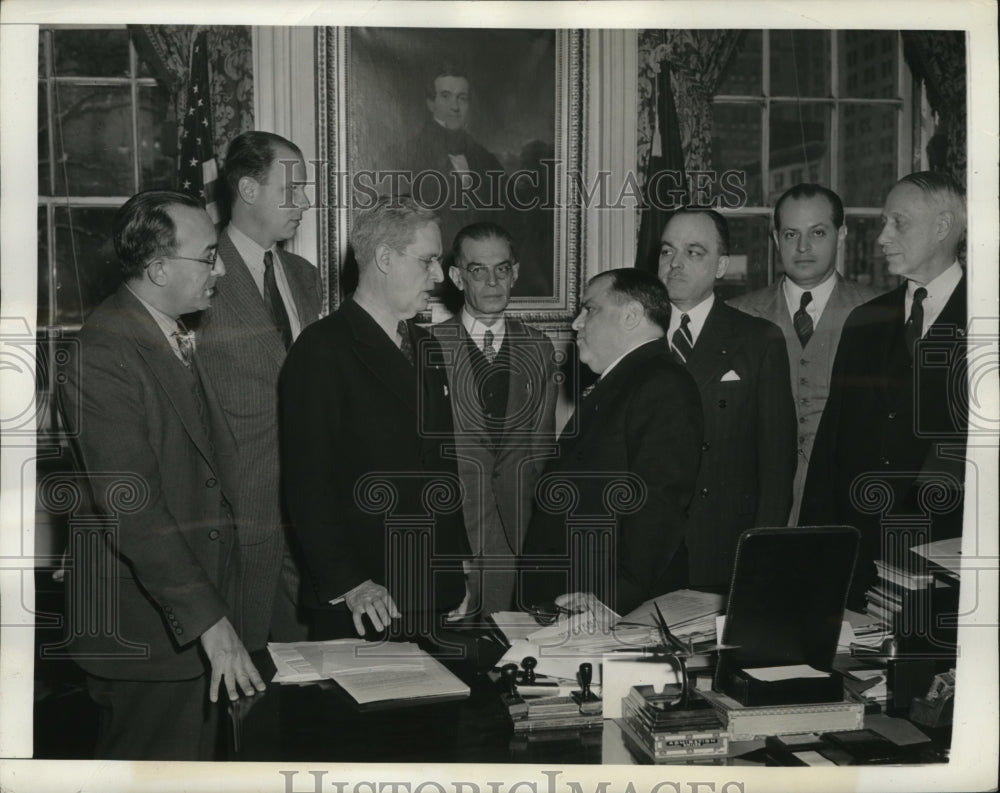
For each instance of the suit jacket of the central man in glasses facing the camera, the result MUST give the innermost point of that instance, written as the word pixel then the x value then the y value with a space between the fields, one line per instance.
pixel 499 476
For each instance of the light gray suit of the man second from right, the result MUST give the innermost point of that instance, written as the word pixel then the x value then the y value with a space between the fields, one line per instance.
pixel 809 368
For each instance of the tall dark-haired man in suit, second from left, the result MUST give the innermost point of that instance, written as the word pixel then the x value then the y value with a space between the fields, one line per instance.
pixel 268 297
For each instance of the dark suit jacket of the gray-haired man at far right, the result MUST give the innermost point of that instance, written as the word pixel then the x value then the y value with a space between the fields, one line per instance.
pixel 890 427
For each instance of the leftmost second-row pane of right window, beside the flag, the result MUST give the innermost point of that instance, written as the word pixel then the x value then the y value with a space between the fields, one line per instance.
pixel 736 135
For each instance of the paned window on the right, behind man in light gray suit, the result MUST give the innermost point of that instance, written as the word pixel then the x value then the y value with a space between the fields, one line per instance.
pixel 827 105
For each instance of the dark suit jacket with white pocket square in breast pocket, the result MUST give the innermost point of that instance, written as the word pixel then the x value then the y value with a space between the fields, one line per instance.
pixel 749 447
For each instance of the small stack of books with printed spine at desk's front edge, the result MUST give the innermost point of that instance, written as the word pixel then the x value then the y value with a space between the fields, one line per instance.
pixel 656 730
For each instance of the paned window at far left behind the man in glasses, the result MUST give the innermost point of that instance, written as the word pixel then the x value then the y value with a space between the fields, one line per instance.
pixel 106 129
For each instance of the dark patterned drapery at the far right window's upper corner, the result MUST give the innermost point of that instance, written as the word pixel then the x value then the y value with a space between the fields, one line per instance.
pixel 937 58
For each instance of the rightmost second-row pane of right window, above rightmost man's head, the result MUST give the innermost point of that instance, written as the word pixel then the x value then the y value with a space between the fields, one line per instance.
pixel 867 162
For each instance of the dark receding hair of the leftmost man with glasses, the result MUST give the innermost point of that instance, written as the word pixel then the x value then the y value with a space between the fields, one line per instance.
pixel 143 228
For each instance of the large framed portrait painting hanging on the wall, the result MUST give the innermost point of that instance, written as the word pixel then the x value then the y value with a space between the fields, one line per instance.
pixel 478 125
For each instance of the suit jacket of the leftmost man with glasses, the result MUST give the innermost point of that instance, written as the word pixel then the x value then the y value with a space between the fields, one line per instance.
pixel 134 413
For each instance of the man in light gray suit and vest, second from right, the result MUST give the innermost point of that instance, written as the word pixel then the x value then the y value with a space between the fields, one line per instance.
pixel 809 303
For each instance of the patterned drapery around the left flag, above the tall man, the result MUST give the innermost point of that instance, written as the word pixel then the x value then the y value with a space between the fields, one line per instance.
pixel 167 48
